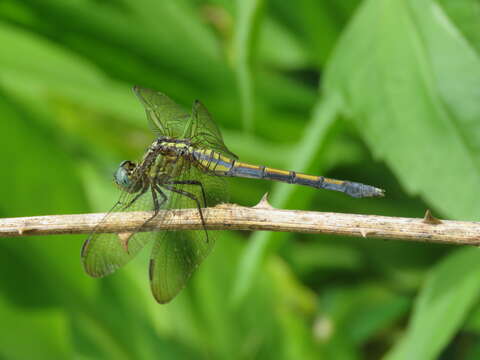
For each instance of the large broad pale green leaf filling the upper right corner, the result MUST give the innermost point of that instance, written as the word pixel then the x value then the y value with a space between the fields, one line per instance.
pixel 411 85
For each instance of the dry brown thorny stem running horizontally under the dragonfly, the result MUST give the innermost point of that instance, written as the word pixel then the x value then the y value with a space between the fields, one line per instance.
pixel 260 217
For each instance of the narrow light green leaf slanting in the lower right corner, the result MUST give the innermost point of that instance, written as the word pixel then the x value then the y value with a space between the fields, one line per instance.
pixel 449 294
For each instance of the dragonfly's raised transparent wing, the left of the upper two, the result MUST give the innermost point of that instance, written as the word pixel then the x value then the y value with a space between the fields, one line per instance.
pixel 166 118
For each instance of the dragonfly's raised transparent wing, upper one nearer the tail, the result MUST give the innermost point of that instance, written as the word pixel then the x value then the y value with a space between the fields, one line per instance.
pixel 205 133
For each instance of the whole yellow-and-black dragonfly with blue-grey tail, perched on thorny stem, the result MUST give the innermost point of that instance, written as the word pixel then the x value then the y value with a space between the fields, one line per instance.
pixel 184 167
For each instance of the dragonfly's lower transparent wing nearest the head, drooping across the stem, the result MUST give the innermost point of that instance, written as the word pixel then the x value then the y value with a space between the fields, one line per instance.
pixel 103 253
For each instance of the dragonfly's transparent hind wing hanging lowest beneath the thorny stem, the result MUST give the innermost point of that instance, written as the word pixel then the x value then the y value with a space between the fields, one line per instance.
pixel 176 254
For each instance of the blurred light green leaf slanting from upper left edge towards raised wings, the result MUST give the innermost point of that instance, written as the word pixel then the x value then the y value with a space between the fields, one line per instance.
pixel 59 72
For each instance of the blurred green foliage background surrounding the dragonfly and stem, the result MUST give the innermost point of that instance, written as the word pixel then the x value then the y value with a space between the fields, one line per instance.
pixel 382 92
